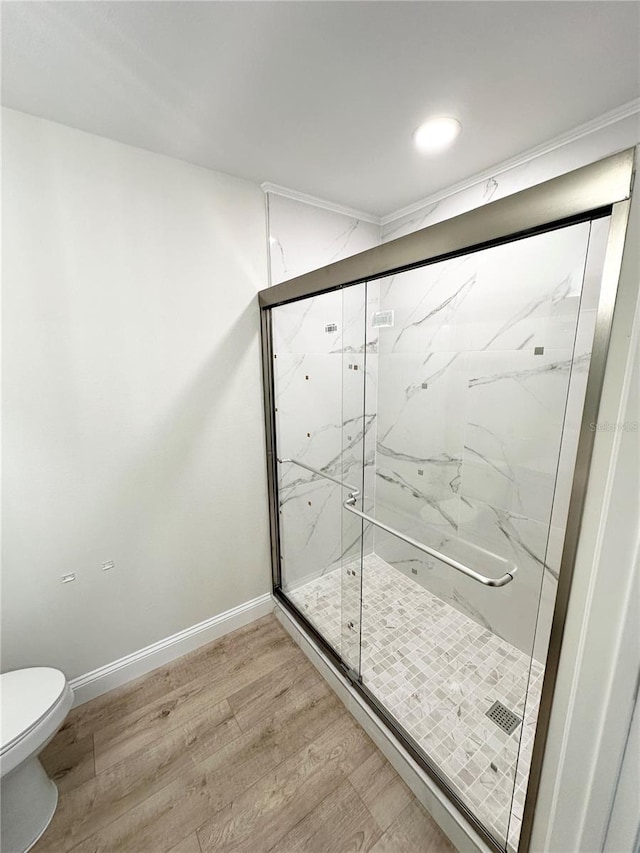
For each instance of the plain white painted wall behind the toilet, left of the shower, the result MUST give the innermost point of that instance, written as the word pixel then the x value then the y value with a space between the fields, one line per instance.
pixel 132 397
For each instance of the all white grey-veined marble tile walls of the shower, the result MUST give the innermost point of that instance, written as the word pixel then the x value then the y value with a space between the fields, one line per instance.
pixel 487 492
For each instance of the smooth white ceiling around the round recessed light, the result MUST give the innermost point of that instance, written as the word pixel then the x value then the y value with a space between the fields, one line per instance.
pixel 323 97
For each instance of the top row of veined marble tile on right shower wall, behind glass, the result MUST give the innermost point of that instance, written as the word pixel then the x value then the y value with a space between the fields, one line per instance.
pixel 510 297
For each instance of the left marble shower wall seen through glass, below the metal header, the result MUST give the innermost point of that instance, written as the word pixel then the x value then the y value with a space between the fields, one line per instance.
pixel 325 379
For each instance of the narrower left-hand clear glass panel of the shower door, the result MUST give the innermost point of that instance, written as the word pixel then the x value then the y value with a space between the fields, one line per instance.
pixel 323 439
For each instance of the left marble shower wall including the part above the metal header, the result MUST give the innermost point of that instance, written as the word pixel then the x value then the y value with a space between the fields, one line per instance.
pixel 319 418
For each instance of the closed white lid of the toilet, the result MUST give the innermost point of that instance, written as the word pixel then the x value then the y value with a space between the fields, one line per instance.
pixel 26 696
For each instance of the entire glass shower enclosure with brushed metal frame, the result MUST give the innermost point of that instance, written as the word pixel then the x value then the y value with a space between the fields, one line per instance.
pixel 428 409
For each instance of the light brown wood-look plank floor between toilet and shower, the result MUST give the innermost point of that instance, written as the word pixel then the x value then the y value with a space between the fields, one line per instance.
pixel 239 746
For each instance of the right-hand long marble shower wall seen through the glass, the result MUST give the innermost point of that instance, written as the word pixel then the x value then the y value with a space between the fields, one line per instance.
pixel 487 354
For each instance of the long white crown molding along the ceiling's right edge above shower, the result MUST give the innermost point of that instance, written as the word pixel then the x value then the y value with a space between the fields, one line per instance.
pixel 607 119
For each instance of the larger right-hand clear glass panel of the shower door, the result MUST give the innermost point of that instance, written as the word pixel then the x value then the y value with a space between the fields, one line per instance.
pixel 480 364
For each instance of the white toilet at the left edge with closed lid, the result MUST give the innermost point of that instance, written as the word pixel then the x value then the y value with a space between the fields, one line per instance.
pixel 33 703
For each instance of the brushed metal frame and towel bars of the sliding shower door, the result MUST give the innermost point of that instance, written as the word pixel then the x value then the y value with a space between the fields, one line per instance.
pixel 600 189
